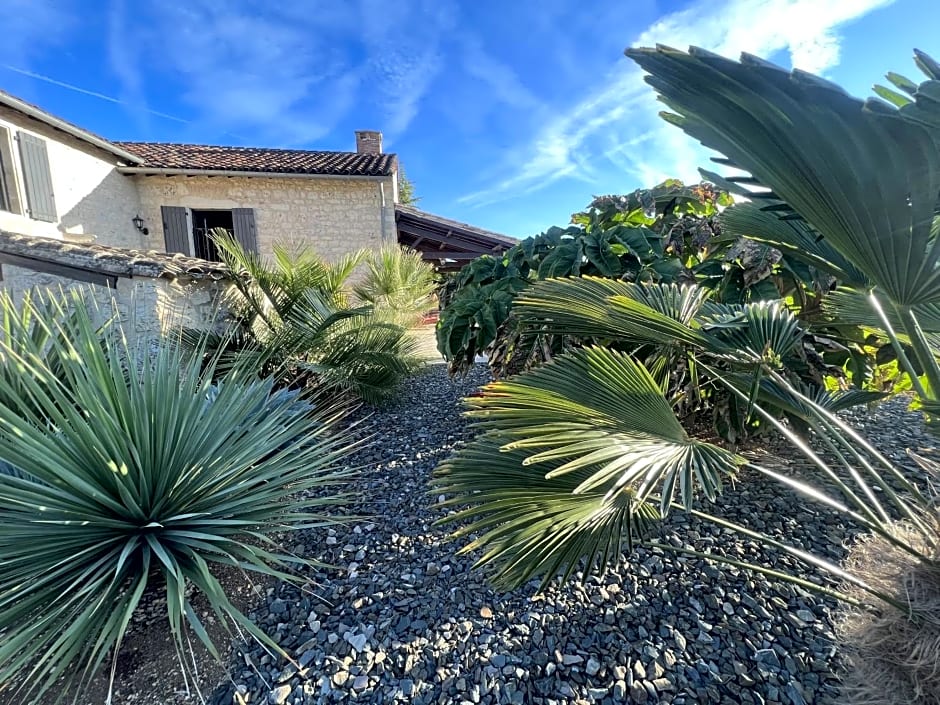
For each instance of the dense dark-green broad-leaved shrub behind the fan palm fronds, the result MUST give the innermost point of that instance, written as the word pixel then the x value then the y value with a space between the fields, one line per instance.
pixel 668 234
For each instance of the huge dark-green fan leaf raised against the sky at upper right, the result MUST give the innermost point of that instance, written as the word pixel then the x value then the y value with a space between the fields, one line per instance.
pixel 851 186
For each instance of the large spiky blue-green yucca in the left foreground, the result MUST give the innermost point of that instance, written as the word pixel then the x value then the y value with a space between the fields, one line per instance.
pixel 135 473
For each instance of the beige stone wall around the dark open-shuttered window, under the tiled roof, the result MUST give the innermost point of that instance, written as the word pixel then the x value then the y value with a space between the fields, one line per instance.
pixel 330 216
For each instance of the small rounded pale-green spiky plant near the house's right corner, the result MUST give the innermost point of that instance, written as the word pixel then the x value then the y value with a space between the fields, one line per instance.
pixel 398 284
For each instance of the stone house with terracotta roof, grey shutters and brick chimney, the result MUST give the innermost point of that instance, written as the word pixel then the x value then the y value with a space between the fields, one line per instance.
pixel 128 202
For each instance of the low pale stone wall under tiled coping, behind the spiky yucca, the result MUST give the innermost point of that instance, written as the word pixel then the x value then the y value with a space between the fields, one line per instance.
pixel 148 307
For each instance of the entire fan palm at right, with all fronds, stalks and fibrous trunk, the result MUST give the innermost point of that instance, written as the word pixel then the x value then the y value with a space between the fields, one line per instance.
pixel 578 458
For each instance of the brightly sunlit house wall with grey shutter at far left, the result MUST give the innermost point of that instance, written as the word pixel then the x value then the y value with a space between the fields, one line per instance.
pixel 91 197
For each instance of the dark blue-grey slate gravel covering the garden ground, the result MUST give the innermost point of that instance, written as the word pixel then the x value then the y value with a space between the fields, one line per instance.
pixel 400 619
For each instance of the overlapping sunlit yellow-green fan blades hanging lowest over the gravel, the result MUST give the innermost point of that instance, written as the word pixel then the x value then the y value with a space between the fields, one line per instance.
pixel 599 446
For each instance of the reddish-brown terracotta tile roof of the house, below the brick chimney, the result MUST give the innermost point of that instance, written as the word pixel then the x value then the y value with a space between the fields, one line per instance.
pixel 159 155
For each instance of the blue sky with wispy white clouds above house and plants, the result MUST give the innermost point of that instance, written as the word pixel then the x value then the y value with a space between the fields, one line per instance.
pixel 508 115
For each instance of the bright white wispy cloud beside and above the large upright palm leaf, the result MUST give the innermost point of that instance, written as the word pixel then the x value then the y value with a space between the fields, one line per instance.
pixel 619 122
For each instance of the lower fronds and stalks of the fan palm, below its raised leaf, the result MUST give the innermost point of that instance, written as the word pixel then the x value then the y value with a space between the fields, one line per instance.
pixel 579 457
